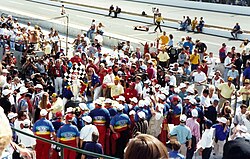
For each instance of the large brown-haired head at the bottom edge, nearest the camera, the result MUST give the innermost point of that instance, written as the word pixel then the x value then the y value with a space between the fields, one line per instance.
pixel 145 146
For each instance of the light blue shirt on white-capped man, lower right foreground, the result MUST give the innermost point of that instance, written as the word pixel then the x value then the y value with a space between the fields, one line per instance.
pixel 183 133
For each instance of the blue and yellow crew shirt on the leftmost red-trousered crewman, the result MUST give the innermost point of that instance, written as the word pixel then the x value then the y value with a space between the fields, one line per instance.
pixel 43 127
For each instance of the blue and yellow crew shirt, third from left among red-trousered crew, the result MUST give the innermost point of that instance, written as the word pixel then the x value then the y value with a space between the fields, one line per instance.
pixel 100 116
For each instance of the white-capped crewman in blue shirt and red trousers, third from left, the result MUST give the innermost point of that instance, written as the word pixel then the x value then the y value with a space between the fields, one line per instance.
pixel 101 119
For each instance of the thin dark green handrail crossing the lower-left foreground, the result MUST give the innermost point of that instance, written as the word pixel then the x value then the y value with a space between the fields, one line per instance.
pixel 65 146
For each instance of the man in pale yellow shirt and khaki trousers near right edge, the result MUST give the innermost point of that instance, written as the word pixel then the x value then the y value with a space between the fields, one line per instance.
pixel 225 92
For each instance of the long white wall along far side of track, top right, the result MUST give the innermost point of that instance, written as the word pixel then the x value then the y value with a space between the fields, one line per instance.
pixel 223 8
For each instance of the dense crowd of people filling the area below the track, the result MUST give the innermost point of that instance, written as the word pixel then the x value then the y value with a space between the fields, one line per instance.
pixel 126 95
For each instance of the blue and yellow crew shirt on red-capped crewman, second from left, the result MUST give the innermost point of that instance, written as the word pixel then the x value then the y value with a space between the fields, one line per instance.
pixel 68 132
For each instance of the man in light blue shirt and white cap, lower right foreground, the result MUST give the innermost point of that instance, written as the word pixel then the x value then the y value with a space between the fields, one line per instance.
pixel 183 135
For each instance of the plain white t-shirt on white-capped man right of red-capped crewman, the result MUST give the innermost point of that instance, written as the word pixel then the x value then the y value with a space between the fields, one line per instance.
pixel 86 132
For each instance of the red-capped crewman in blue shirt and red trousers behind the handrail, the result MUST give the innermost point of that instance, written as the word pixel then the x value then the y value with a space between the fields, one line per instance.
pixel 68 134
